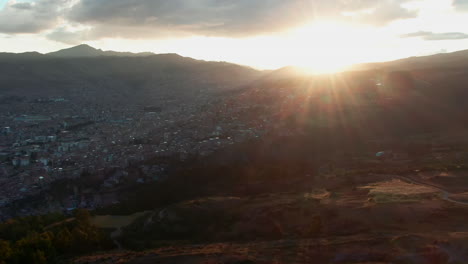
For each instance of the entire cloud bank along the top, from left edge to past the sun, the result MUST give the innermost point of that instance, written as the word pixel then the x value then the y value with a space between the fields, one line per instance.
pixel 140 19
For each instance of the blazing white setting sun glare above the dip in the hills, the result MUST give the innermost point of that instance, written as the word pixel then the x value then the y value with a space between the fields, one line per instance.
pixel 327 46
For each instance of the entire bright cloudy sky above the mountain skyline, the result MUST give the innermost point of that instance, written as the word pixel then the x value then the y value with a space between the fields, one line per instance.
pixel 267 34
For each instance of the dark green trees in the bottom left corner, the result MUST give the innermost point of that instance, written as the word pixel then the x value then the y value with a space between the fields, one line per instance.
pixel 28 240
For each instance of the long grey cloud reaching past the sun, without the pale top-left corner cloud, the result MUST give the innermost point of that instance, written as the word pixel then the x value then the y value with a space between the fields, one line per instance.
pixel 225 18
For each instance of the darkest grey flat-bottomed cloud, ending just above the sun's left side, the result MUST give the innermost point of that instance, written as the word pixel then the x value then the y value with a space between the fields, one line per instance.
pixel 207 17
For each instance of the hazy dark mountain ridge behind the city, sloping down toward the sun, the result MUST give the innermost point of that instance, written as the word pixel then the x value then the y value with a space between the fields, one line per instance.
pixel 125 75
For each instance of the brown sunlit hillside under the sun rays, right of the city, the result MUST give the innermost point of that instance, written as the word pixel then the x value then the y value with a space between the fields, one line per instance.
pixel 311 188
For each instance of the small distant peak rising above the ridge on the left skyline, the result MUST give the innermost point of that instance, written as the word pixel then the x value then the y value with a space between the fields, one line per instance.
pixel 84 50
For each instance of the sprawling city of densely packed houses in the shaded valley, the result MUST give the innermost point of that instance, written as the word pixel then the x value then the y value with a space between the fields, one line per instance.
pixel 47 140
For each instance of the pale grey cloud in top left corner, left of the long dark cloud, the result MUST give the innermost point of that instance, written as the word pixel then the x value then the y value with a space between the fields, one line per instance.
pixel 26 17
